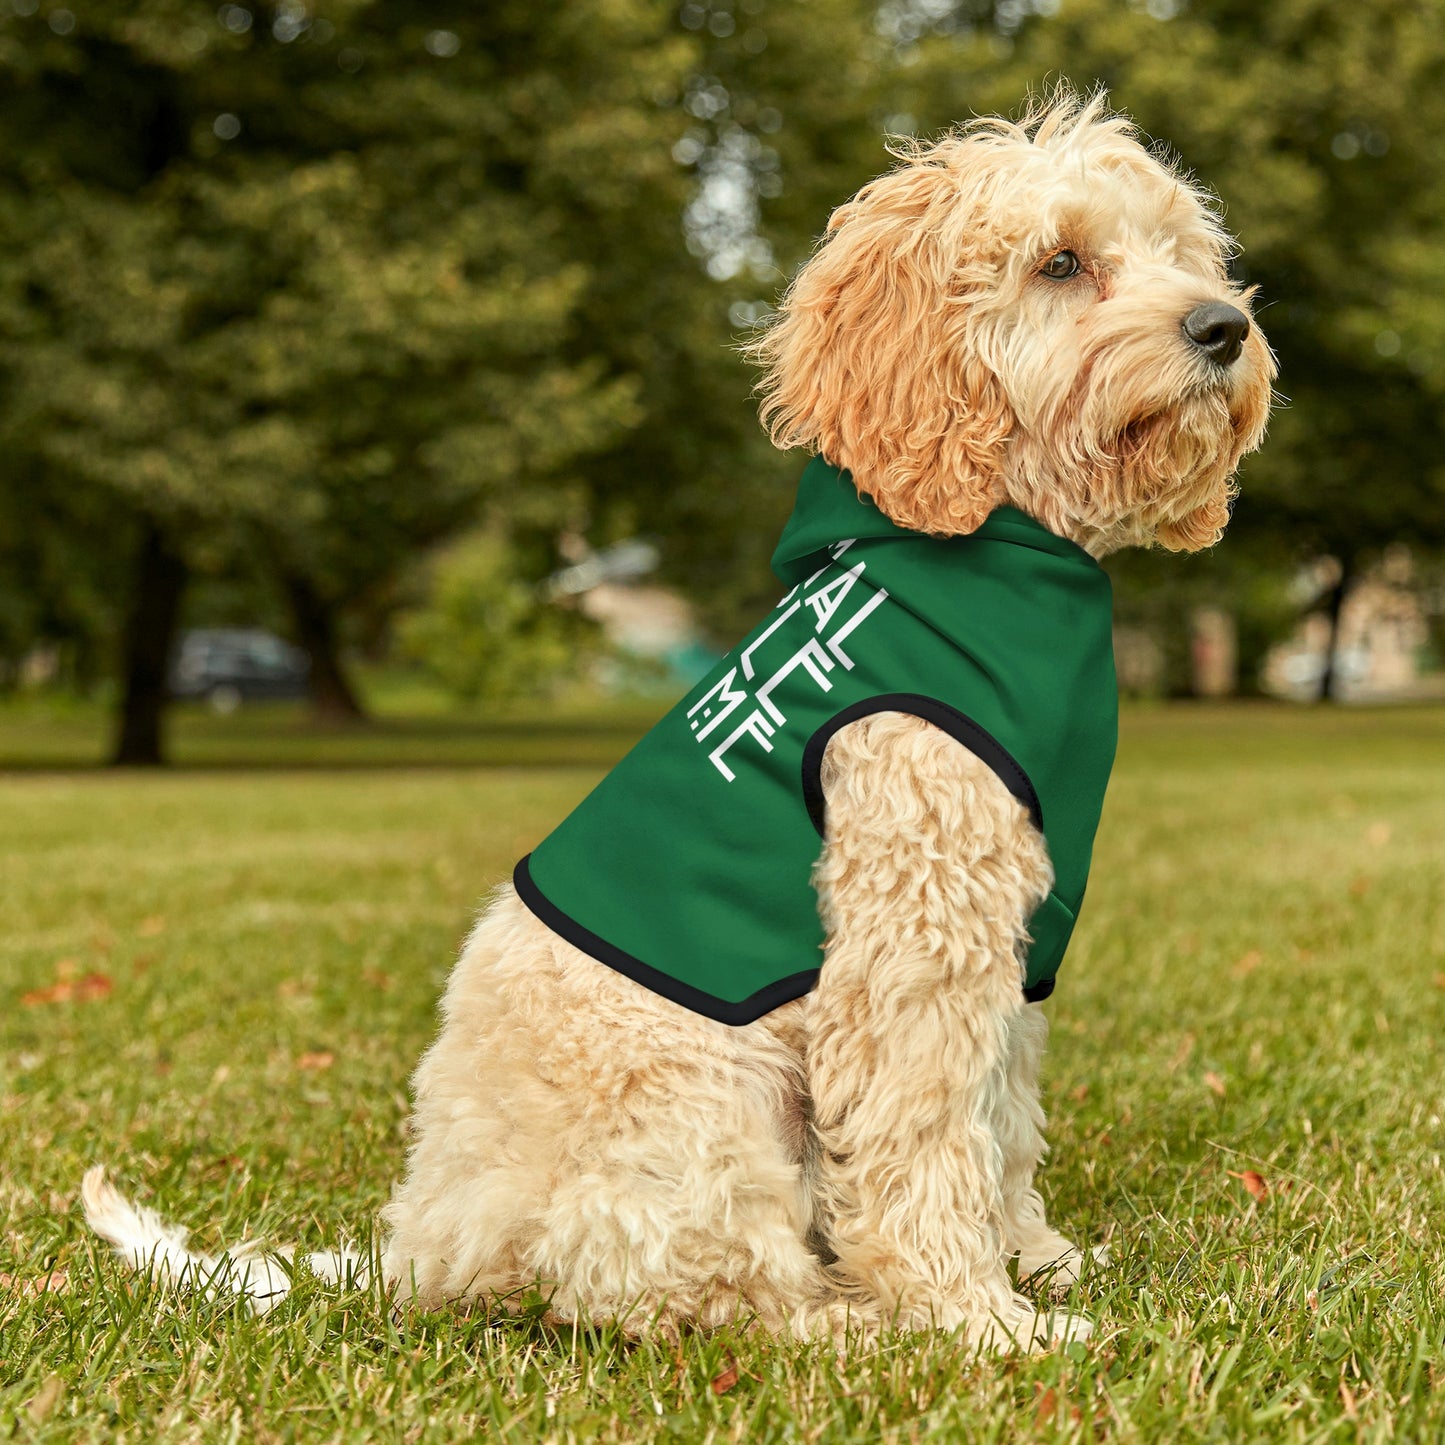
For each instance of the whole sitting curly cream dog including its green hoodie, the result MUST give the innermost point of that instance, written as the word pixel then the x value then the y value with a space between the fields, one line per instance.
pixel 1025 336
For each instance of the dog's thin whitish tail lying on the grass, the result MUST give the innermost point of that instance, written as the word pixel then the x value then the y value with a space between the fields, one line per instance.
pixel 145 1242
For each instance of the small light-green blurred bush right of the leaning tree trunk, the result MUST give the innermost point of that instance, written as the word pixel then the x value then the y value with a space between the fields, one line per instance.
pixel 486 634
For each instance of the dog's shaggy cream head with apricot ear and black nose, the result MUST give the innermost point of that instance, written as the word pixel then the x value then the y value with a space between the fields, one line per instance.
pixel 1030 313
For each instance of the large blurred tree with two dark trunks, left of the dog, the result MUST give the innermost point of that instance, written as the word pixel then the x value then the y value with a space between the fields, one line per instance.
pixel 298 282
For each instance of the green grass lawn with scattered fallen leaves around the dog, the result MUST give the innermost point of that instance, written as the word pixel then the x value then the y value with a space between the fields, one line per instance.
pixel 217 980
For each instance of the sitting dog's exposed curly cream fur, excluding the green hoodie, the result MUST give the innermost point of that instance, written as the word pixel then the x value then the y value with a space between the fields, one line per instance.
pixel 1024 314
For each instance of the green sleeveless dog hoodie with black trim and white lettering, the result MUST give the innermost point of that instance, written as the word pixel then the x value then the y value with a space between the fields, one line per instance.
pixel 689 868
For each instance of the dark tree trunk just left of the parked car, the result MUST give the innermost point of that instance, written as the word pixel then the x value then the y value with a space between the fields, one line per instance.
pixel 151 628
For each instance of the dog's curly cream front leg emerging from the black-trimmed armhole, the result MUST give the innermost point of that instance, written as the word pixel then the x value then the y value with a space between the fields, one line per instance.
pixel 930 874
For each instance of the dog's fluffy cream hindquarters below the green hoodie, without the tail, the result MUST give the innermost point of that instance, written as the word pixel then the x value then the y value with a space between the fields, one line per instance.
pixel 580 1136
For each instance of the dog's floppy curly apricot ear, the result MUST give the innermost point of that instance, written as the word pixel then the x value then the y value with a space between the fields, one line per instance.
pixel 872 361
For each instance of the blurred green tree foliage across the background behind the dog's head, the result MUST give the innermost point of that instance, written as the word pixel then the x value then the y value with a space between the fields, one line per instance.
pixel 316 287
